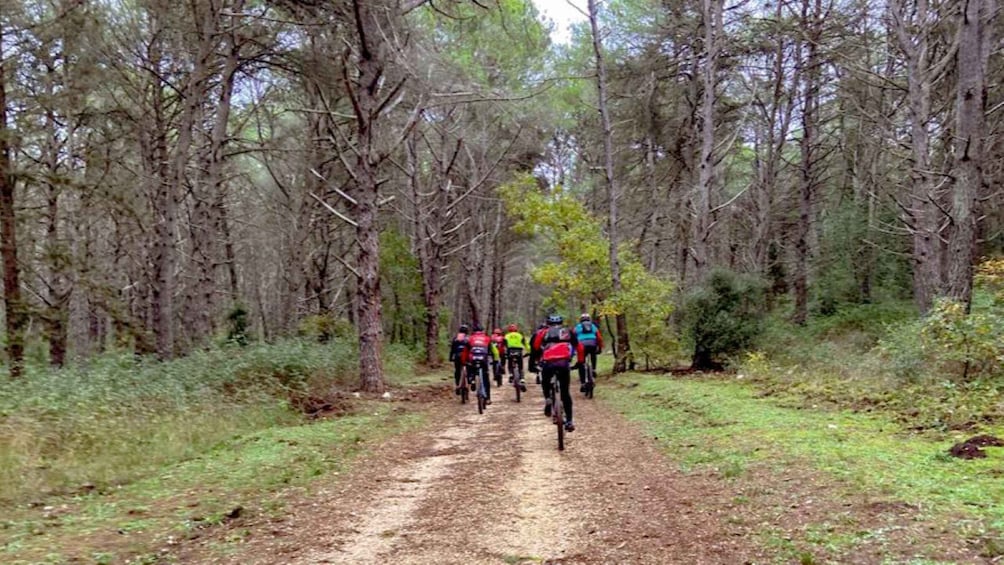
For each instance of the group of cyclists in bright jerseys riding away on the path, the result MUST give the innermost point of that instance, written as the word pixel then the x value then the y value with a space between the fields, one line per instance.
pixel 554 351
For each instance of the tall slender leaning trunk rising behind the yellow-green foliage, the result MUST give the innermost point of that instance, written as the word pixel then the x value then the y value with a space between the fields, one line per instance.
pixel 623 351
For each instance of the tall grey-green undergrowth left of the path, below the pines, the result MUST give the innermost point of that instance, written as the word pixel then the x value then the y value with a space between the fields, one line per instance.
pixel 117 418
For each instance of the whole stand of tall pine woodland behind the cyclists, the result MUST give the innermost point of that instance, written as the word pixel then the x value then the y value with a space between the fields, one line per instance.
pixel 174 175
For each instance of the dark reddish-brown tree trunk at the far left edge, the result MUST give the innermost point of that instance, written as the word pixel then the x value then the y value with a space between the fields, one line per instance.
pixel 17 316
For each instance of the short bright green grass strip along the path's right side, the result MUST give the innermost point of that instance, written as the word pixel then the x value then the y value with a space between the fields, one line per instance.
pixel 721 425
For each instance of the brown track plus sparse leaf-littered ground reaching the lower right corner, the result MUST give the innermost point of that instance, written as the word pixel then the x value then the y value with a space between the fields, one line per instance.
pixel 494 489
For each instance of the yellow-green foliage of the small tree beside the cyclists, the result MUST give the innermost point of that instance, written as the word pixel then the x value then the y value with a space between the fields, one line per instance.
pixel 580 273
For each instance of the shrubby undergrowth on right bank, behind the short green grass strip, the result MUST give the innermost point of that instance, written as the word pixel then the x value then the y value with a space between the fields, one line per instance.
pixel 877 359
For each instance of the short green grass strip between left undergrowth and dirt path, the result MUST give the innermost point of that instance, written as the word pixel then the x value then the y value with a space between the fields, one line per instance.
pixel 237 477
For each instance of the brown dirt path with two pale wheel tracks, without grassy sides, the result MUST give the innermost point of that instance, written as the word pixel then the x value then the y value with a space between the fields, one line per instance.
pixel 494 489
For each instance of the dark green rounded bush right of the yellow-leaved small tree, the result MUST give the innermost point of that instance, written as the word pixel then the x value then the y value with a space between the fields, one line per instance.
pixel 723 317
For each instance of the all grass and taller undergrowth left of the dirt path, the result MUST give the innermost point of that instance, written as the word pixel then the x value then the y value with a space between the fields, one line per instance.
pixel 121 456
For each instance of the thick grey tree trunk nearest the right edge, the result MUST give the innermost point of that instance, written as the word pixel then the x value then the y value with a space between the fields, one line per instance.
pixel 976 31
